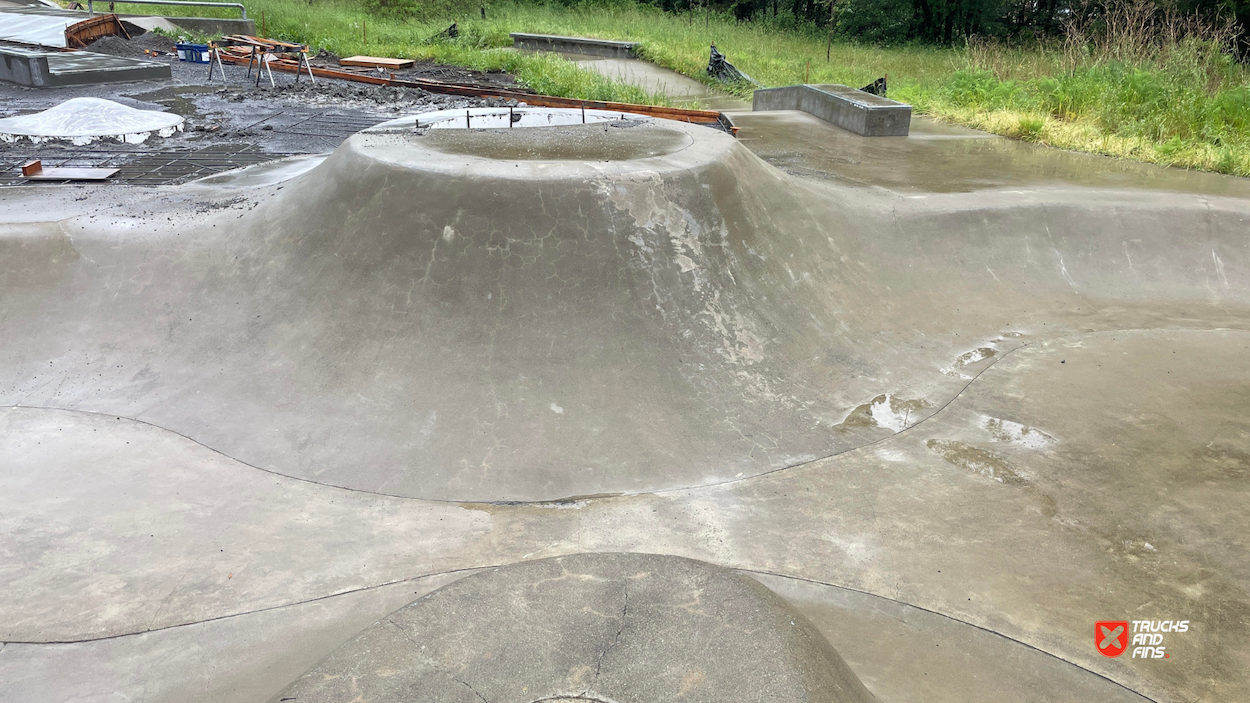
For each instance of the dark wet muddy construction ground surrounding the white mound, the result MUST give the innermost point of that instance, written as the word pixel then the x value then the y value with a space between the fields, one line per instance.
pixel 292 117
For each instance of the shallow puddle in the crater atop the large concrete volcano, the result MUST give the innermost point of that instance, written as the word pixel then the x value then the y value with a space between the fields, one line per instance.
pixel 576 143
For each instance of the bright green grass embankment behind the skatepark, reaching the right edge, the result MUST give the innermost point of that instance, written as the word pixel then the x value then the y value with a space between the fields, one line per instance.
pixel 1138 94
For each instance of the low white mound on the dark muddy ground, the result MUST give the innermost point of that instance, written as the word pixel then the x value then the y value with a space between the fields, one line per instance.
pixel 87 119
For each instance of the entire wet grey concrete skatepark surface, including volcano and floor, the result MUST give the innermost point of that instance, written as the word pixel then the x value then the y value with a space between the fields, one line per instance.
pixel 951 400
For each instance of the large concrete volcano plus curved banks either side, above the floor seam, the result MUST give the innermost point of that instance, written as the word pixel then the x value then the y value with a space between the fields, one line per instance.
pixel 536 315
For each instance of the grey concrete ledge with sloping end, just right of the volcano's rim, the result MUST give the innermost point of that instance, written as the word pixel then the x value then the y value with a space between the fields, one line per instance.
pixel 854 111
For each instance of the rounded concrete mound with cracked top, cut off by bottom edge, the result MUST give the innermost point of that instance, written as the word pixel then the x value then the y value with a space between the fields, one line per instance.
pixel 589 627
